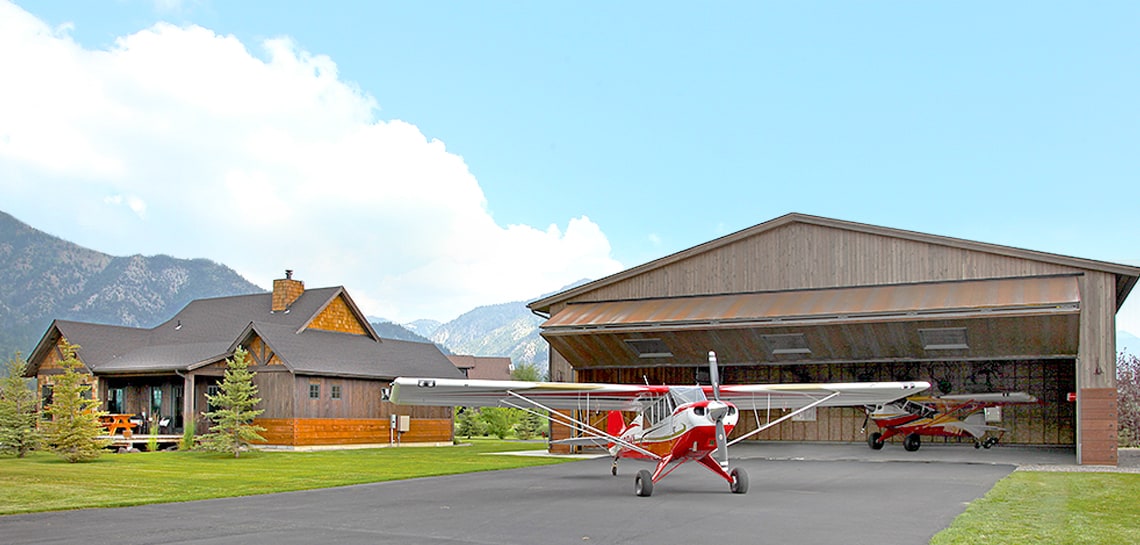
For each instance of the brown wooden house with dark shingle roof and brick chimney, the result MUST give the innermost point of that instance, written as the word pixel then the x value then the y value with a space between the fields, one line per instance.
pixel 321 369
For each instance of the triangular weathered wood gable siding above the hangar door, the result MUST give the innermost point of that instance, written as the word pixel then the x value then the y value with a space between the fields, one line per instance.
pixel 804 256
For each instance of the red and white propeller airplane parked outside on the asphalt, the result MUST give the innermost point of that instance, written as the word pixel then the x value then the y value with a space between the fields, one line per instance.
pixel 674 425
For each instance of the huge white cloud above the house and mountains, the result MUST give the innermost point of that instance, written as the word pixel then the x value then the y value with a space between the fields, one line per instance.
pixel 180 141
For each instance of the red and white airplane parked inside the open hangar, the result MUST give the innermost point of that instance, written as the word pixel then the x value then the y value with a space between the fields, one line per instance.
pixel 959 416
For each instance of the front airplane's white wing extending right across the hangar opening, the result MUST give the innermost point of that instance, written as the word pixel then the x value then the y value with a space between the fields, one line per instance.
pixel 761 397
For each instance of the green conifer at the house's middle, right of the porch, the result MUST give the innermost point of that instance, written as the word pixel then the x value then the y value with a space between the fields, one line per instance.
pixel 233 422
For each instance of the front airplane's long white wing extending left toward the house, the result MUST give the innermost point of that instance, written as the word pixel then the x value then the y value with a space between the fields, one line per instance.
pixel 460 393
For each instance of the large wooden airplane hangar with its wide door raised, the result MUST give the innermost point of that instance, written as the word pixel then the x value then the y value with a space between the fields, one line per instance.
pixel 809 299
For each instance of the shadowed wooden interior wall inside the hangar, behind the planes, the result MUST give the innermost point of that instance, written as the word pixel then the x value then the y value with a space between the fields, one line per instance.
pixel 1051 422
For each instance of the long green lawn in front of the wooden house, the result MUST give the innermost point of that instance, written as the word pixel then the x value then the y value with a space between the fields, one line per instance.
pixel 45 483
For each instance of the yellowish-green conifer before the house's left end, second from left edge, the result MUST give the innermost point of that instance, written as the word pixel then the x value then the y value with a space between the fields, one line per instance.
pixel 75 430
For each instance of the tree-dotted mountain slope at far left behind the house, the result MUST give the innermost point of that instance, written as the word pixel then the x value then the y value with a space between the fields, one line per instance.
pixel 44 278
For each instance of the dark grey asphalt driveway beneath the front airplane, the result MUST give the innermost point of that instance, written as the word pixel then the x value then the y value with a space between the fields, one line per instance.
pixel 819 501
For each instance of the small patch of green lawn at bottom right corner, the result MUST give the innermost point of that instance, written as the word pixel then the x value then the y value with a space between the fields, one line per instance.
pixel 1052 508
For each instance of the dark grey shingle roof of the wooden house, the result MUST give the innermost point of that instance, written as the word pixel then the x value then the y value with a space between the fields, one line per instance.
pixel 209 330
